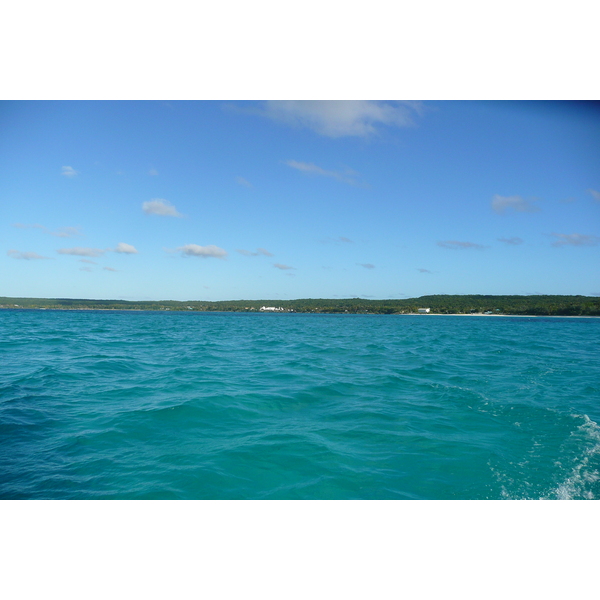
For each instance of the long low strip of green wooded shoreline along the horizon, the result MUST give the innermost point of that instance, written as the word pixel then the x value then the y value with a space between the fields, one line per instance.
pixel 439 304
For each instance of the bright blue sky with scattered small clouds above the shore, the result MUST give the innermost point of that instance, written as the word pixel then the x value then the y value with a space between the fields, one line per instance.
pixel 216 200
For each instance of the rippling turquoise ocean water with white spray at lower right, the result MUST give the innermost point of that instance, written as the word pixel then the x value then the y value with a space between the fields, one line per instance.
pixel 158 405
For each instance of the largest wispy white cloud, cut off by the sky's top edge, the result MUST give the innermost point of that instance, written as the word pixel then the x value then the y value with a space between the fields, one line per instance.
pixel 339 118
